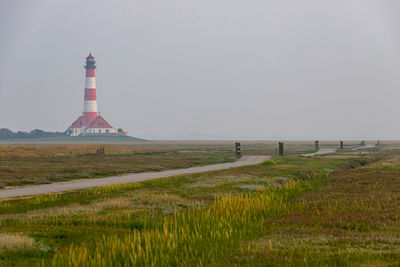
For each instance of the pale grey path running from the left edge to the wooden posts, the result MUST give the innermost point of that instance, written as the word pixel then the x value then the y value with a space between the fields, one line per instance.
pixel 123 179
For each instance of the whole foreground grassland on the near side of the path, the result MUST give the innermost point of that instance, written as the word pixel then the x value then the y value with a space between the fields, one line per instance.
pixel 340 209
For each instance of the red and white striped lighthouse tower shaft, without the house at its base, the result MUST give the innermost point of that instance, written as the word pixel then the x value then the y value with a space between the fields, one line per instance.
pixel 90 101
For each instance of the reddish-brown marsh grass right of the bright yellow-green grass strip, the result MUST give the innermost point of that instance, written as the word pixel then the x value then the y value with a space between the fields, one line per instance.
pixel 352 220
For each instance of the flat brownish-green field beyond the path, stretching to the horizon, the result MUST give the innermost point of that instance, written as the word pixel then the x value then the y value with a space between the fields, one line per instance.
pixel 22 164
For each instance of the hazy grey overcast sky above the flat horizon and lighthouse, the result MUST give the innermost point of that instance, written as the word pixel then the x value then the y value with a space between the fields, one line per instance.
pixel 309 69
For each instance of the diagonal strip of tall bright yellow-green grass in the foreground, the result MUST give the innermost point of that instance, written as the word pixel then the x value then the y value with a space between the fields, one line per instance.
pixel 198 236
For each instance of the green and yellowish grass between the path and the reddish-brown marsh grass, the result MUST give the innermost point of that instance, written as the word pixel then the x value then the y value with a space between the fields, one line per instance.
pixel 162 222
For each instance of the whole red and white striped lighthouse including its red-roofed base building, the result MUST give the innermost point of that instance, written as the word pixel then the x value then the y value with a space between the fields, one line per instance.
pixel 90 122
